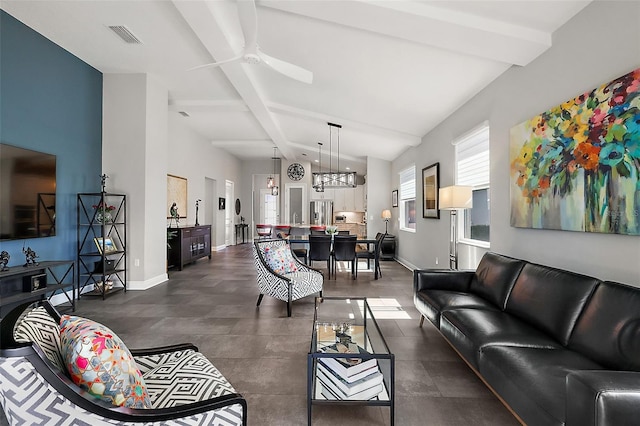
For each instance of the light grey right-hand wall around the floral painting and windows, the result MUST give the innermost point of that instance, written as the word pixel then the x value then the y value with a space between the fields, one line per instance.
pixel 601 43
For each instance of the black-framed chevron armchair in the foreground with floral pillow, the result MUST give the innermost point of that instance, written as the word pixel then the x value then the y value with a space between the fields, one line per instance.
pixel 70 370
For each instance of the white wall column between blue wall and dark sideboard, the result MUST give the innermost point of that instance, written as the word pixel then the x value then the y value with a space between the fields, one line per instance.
pixel 134 152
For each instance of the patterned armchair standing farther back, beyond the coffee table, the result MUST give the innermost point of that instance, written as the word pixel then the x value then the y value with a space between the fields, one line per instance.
pixel 281 275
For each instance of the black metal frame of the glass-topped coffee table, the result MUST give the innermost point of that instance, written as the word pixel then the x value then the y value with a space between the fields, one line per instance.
pixel 312 359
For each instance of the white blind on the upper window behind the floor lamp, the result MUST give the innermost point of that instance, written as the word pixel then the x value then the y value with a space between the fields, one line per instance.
pixel 472 158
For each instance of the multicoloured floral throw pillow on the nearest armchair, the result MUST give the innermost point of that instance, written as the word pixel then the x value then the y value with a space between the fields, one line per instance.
pixel 99 362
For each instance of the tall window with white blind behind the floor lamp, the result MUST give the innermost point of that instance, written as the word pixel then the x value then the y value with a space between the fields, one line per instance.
pixel 472 168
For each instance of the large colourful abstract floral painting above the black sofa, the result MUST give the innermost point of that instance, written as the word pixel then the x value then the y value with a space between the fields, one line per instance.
pixel 576 167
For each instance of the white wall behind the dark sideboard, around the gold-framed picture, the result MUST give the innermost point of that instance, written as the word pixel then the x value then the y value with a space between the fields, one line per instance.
pixel 191 156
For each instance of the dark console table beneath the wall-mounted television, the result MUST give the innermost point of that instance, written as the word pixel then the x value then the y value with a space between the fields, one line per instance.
pixel 49 278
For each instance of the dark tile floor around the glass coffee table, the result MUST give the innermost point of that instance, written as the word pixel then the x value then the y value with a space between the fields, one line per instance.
pixel 263 353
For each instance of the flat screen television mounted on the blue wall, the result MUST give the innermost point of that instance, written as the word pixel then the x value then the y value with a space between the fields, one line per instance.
pixel 27 193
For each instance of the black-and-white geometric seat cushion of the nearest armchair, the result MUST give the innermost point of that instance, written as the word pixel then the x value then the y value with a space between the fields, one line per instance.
pixel 188 379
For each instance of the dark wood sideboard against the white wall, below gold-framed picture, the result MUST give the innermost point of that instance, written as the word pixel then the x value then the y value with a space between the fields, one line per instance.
pixel 188 245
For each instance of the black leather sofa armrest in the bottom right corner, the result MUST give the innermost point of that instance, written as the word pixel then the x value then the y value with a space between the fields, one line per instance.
pixel 599 398
